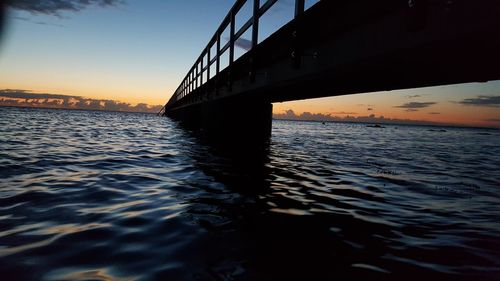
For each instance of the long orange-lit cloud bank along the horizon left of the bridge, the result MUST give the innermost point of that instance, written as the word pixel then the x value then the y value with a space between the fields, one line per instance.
pixel 9 97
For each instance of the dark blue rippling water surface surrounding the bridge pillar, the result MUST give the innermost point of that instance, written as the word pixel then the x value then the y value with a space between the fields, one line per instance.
pixel 121 196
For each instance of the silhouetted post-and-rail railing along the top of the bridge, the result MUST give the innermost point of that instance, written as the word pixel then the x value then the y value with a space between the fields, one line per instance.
pixel 202 66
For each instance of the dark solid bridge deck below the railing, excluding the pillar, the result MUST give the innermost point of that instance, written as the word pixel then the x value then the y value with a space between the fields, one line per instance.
pixel 355 46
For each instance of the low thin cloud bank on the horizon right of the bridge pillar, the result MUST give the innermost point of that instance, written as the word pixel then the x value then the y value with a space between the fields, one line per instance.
pixel 307 116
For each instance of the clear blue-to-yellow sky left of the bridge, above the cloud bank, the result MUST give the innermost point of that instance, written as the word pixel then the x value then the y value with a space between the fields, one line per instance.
pixel 146 45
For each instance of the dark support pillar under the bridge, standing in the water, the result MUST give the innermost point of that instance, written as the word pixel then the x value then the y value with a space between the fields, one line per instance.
pixel 230 121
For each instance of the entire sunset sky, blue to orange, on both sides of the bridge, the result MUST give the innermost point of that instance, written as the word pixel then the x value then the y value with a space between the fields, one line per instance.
pixel 138 52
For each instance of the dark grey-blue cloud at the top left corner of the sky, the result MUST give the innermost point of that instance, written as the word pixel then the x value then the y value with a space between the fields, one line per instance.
pixel 56 7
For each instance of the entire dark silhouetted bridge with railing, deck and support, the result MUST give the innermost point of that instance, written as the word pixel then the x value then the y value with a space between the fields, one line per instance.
pixel 336 47
